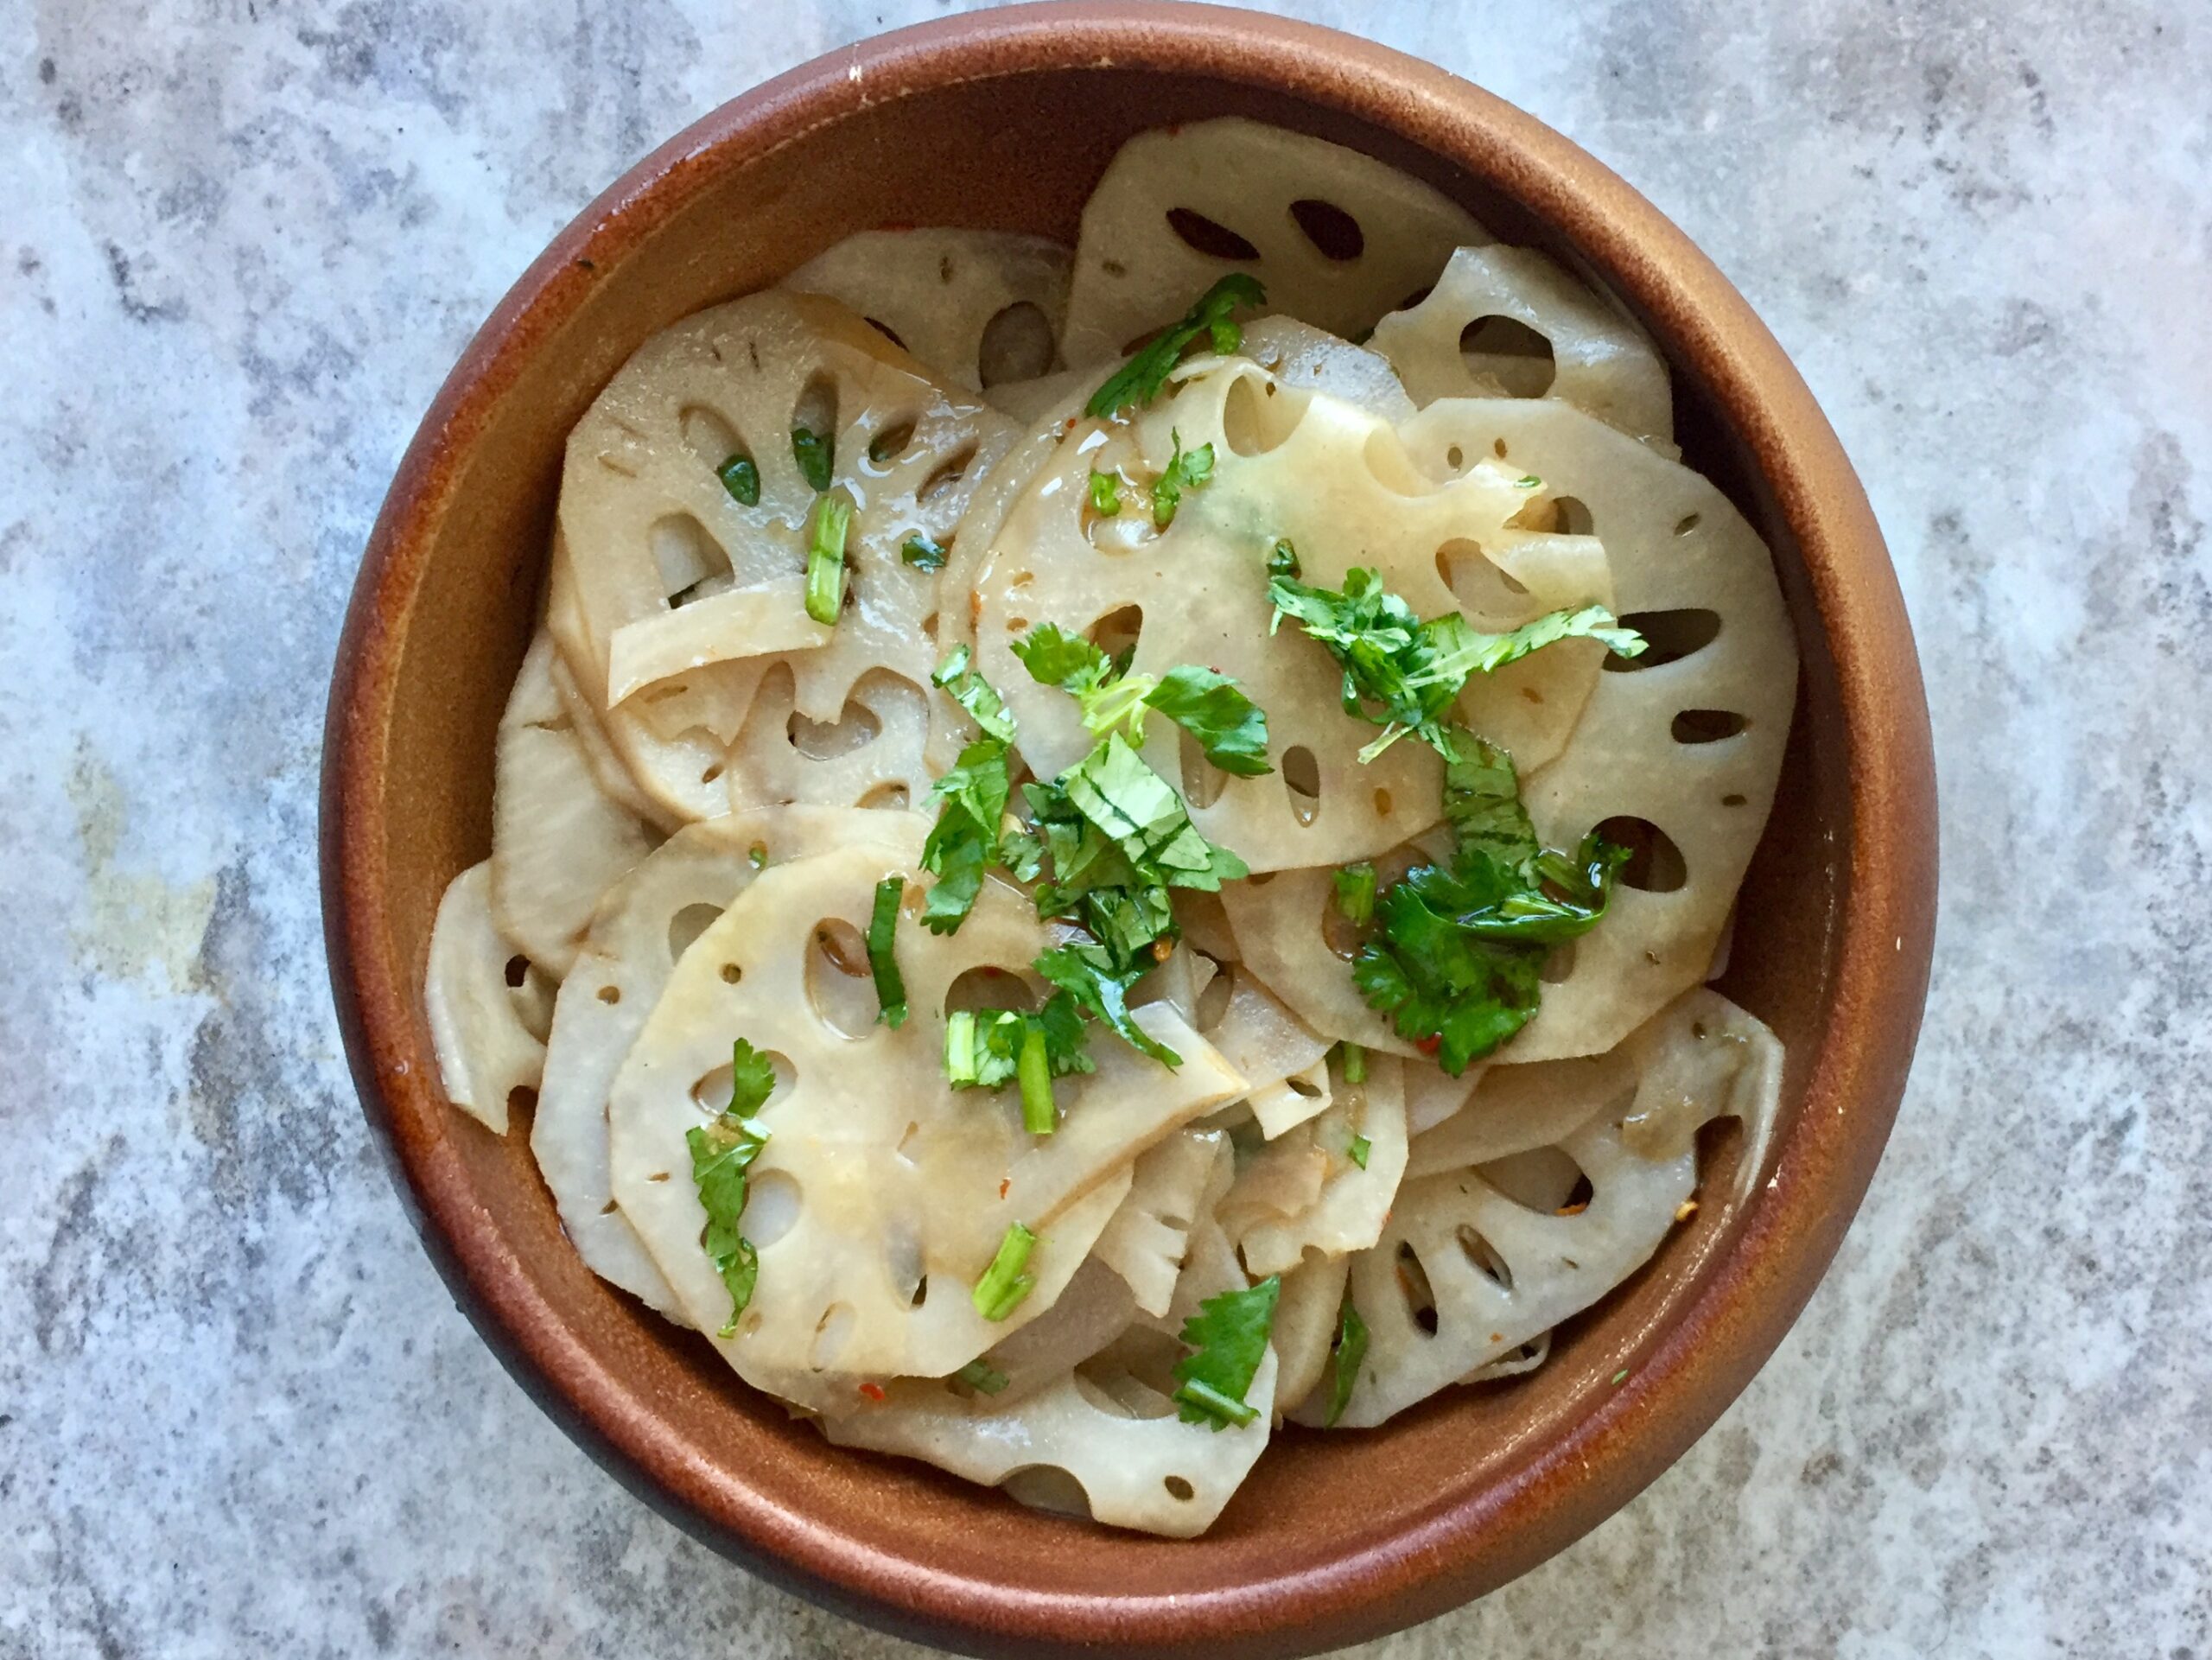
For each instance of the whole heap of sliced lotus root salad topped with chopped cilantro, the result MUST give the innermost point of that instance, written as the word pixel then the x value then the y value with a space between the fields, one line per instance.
pixel 1100 853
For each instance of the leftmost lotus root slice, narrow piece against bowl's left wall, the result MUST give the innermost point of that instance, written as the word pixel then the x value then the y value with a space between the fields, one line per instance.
pixel 481 997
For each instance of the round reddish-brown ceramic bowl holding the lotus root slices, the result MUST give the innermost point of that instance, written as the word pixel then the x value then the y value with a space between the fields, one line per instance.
pixel 1008 118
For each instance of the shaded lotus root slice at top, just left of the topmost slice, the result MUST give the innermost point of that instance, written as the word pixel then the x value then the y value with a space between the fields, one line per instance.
pixel 977 307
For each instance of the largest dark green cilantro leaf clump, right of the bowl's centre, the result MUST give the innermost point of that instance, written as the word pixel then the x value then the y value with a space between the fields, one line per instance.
pixel 1459 946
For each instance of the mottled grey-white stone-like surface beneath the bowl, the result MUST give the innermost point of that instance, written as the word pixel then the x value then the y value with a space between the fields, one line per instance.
pixel 242 245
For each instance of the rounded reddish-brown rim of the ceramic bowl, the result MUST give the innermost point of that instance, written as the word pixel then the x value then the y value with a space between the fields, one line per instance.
pixel 1886 931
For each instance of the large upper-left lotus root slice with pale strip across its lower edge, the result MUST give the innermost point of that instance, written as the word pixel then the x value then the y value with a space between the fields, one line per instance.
pixel 676 572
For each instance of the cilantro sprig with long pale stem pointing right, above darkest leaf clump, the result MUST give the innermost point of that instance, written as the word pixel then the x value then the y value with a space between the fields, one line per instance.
pixel 1404 674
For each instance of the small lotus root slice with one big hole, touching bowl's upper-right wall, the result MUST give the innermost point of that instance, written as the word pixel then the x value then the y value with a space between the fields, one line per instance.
pixel 1507 322
